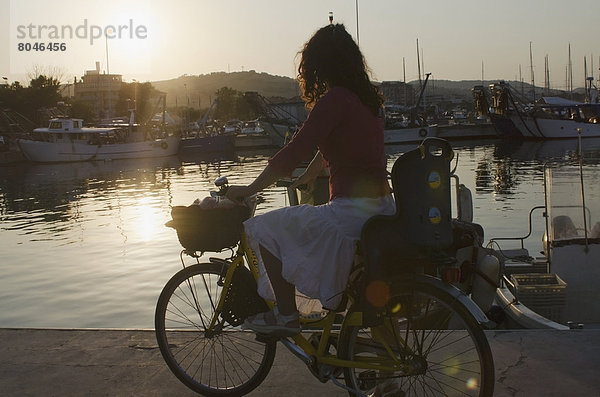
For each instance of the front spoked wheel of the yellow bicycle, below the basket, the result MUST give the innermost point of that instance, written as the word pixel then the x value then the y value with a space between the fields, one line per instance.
pixel 223 361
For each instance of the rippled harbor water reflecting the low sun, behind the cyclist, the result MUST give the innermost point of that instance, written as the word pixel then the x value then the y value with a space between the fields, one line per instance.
pixel 84 244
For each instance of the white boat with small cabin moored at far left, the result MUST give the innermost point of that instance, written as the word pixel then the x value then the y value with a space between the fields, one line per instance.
pixel 67 140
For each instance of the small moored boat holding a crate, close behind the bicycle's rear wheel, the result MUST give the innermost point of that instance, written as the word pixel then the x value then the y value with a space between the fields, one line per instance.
pixel 558 290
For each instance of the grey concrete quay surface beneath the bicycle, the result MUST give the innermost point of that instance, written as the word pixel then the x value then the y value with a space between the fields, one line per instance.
pixel 103 362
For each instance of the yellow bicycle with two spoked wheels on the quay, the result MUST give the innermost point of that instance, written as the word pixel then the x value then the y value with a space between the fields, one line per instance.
pixel 412 328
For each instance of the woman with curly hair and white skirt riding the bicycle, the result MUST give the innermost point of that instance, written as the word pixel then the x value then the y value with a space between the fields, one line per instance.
pixel 311 248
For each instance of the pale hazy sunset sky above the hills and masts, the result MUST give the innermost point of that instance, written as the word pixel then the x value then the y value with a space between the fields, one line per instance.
pixel 161 40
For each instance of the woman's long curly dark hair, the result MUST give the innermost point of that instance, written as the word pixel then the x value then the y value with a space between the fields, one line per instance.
pixel 331 58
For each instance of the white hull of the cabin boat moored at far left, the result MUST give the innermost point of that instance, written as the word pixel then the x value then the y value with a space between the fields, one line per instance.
pixel 55 152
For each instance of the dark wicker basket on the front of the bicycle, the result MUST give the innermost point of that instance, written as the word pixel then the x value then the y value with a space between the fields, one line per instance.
pixel 212 230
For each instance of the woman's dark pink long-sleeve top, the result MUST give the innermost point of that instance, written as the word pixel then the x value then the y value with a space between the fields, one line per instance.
pixel 349 137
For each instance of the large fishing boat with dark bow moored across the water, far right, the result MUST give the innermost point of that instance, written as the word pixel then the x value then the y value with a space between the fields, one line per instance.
pixel 548 118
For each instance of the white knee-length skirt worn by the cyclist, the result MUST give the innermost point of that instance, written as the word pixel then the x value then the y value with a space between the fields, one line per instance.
pixel 316 244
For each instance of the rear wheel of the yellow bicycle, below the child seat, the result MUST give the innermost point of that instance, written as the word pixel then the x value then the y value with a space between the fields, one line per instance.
pixel 444 348
